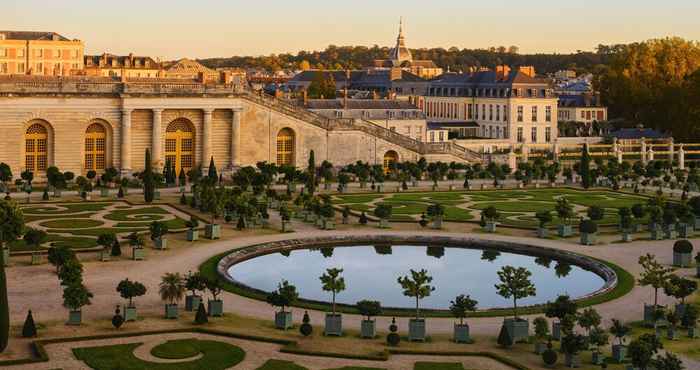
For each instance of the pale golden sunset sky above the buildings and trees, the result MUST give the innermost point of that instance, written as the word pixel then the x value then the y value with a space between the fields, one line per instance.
pixel 211 28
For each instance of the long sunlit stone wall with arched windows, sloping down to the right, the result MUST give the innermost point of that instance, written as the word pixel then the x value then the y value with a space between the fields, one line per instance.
pixel 91 123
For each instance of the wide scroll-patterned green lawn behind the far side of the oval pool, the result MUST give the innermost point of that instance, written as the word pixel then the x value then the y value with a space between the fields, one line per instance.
pixel 517 207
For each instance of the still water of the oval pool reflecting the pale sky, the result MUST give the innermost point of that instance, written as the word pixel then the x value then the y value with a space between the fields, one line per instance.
pixel 371 272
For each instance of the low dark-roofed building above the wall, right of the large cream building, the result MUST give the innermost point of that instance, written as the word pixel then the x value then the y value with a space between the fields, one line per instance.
pixel 129 66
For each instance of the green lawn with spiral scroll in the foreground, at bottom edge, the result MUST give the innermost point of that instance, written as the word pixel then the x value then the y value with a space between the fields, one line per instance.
pixel 215 356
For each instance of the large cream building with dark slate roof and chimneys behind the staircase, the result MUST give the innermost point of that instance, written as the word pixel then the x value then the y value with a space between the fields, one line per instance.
pixel 504 103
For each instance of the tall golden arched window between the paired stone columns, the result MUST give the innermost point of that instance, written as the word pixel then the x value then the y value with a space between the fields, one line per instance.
pixel 179 144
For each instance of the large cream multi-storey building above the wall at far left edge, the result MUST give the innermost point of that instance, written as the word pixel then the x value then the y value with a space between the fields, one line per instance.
pixel 39 53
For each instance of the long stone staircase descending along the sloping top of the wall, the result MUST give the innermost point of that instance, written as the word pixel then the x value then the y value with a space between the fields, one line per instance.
pixel 352 124
